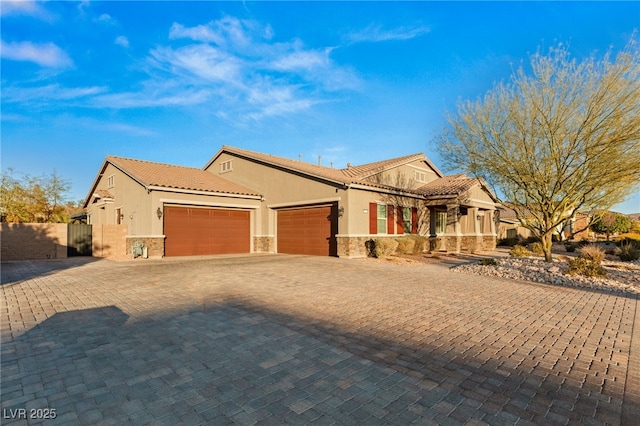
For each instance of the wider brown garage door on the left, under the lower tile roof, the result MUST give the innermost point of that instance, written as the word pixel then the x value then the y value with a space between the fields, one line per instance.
pixel 200 231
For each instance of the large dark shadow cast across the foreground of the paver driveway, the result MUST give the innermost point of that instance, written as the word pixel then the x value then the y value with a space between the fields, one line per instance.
pixel 236 361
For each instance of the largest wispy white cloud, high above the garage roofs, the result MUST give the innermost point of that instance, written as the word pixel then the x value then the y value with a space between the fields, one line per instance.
pixel 248 74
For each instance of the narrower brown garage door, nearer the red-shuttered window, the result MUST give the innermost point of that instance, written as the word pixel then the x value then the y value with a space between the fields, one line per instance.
pixel 308 230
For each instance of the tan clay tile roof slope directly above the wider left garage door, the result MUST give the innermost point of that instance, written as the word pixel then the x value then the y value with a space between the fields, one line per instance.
pixel 169 176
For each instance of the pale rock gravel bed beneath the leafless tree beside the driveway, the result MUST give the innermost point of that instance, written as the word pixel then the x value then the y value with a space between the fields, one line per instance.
pixel 623 277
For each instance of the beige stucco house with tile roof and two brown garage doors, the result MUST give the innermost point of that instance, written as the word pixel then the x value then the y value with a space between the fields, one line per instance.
pixel 243 202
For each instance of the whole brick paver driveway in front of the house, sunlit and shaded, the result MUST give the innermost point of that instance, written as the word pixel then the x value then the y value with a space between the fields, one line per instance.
pixel 290 339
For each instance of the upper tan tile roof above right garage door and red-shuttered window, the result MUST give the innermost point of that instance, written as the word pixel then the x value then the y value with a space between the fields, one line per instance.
pixel 352 174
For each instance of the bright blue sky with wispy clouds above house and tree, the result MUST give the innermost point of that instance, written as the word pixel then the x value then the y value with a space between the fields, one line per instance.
pixel 348 81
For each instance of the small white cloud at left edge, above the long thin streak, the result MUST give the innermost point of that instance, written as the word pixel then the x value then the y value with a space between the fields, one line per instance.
pixel 46 55
